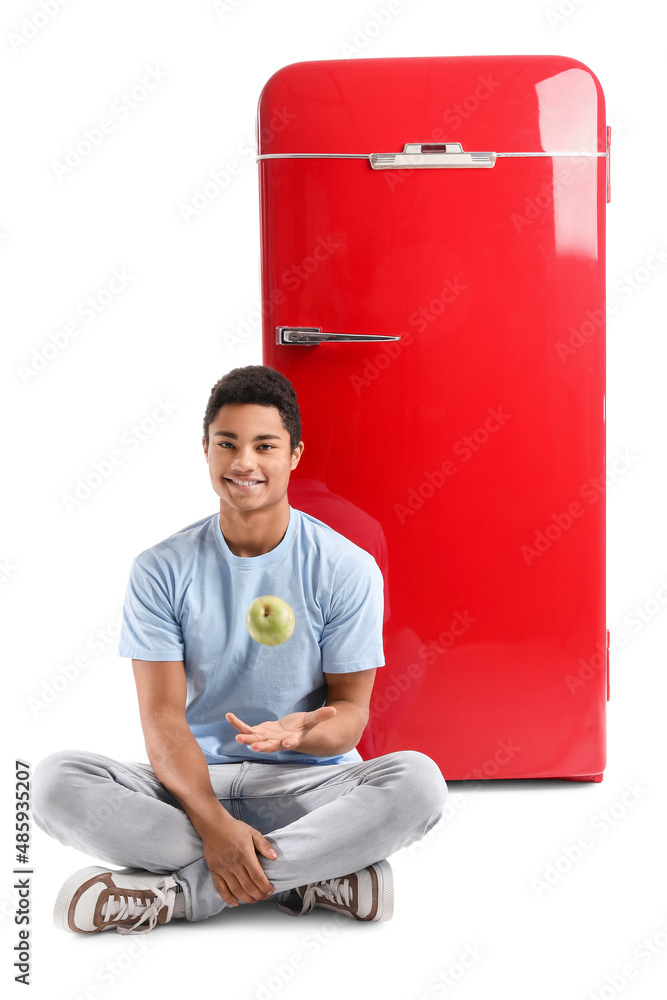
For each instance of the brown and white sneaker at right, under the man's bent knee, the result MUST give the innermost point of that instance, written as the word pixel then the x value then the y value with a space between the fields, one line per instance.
pixel 364 895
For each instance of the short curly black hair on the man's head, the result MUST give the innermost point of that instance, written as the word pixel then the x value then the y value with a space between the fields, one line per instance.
pixel 261 385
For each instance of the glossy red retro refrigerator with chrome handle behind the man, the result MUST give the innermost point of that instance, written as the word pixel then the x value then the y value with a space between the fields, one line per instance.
pixel 433 284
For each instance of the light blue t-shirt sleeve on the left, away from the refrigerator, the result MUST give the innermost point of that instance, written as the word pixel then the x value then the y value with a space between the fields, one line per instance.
pixel 149 630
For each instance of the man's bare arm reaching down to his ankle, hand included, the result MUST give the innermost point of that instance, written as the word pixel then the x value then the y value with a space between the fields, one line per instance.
pixel 178 761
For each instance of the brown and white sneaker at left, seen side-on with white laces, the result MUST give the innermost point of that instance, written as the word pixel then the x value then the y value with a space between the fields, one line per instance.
pixel 133 901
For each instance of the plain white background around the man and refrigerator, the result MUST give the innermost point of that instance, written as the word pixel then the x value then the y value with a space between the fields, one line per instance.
pixel 166 337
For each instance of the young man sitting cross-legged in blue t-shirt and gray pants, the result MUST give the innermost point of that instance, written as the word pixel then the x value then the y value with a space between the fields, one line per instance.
pixel 255 788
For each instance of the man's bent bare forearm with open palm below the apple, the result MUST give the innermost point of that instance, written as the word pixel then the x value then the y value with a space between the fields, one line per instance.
pixel 320 733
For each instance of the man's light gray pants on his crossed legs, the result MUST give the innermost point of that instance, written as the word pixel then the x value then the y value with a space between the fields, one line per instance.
pixel 324 821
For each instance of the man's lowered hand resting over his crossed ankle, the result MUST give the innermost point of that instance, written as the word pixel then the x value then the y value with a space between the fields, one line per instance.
pixel 231 855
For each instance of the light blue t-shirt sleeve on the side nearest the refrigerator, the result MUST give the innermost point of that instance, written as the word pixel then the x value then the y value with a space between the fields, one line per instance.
pixel 352 637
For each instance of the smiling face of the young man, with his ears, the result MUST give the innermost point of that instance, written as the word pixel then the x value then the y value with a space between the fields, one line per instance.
pixel 249 457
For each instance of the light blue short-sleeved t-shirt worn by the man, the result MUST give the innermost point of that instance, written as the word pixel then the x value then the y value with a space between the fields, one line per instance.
pixel 186 600
